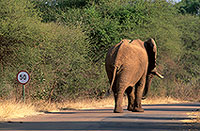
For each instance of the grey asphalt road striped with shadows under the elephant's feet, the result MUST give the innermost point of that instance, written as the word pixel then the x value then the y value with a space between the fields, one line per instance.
pixel 158 117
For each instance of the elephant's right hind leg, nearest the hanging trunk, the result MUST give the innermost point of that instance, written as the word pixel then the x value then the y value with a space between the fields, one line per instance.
pixel 139 88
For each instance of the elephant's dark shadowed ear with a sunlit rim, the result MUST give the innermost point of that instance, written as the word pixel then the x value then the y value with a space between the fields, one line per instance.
pixel 151 49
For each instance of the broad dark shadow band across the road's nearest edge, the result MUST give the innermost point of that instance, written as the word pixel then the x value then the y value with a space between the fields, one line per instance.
pixel 88 125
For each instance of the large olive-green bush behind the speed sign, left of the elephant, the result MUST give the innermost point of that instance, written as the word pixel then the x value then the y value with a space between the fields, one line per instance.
pixel 53 54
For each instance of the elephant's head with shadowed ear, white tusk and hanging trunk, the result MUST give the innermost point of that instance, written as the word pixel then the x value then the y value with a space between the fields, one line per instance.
pixel 151 49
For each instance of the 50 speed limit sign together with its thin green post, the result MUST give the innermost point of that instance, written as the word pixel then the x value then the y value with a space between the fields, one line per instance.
pixel 23 78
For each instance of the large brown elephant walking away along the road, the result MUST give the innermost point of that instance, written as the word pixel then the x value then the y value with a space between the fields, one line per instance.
pixel 130 67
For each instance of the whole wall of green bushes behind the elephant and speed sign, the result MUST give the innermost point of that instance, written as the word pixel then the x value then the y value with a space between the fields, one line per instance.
pixel 63 43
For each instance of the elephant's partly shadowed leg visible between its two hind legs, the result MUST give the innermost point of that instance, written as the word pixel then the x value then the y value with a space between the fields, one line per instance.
pixel 131 98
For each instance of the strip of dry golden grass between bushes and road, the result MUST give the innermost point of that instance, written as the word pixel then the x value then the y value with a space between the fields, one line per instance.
pixel 12 109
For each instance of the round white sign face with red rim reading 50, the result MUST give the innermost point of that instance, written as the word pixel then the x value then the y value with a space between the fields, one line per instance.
pixel 23 77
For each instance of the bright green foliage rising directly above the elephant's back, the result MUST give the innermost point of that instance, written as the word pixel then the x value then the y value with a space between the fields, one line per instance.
pixel 107 22
